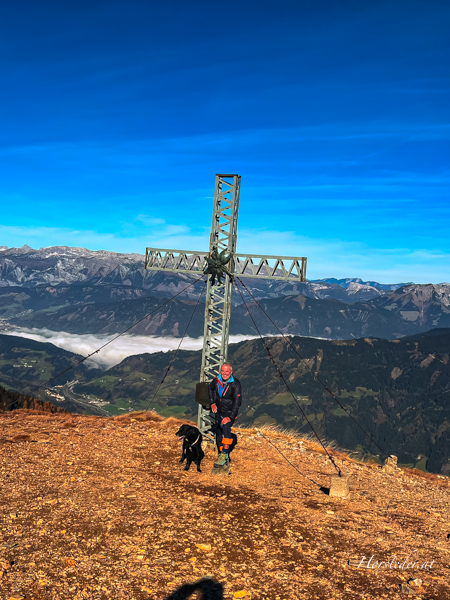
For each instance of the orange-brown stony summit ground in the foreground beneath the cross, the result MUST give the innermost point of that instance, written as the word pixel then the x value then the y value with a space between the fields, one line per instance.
pixel 96 508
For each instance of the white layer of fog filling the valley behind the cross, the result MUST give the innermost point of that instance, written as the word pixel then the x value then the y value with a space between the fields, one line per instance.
pixel 124 346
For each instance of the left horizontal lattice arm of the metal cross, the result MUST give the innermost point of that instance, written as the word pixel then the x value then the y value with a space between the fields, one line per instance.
pixel 176 261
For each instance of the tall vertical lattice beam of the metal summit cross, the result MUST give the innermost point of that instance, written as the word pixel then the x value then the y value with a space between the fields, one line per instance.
pixel 218 295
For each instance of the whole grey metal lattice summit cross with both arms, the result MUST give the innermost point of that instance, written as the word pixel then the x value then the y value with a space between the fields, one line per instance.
pixel 218 294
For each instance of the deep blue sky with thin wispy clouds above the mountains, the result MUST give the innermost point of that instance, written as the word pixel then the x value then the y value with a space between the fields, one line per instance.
pixel 115 117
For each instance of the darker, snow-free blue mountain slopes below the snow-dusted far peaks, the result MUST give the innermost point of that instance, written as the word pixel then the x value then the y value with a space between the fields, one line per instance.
pixel 408 310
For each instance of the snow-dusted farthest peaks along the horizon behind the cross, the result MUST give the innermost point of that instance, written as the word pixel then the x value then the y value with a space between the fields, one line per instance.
pixel 58 265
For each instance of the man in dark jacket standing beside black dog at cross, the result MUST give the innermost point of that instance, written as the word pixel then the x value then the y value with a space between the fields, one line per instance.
pixel 225 398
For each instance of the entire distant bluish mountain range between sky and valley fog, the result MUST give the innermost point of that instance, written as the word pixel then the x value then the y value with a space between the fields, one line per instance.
pixel 79 291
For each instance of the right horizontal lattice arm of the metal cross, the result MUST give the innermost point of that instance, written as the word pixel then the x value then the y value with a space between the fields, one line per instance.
pixel 288 268
